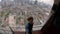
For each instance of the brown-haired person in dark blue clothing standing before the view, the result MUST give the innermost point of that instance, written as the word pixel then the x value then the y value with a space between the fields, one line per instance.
pixel 29 25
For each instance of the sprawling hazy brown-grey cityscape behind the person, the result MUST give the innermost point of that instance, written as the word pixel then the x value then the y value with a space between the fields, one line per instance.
pixel 20 10
